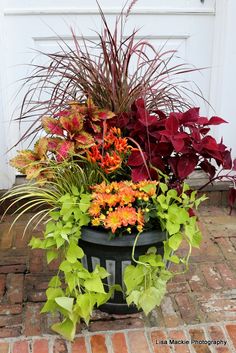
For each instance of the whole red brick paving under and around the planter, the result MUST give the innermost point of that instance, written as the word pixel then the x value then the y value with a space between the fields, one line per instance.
pixel 200 305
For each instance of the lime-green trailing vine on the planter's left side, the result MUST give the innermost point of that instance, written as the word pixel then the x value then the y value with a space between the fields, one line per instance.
pixel 74 292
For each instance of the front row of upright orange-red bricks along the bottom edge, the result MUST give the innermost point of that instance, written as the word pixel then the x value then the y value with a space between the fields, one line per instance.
pixel 208 338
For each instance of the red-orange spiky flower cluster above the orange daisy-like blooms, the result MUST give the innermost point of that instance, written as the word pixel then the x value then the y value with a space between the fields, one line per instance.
pixel 110 153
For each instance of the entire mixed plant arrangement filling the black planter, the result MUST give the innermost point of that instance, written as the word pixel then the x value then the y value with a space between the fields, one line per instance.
pixel 115 153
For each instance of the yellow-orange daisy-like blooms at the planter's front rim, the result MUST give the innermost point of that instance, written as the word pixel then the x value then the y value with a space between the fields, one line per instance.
pixel 121 204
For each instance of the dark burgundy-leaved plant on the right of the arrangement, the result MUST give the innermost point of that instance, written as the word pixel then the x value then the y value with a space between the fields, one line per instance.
pixel 176 144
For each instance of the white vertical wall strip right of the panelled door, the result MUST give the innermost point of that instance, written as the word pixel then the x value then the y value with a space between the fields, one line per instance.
pixel 223 88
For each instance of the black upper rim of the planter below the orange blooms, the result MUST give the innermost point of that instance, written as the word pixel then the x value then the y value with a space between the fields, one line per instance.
pixel 100 237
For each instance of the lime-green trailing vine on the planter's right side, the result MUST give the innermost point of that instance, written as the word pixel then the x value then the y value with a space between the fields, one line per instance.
pixel 146 282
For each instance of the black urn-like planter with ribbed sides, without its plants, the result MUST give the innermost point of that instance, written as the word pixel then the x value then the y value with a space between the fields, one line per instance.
pixel 115 255
